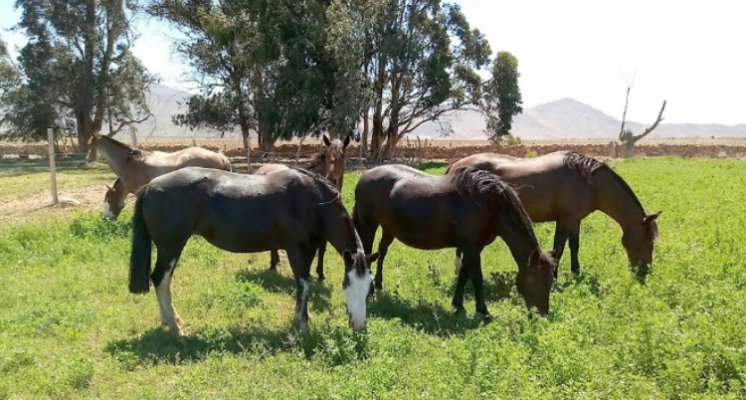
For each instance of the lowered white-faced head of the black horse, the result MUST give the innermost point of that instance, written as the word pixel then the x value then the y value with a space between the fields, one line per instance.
pixel 356 286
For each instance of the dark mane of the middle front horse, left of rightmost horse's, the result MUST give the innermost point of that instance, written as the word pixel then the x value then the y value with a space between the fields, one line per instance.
pixel 475 182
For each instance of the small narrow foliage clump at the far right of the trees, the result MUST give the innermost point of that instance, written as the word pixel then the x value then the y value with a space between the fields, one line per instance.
pixel 502 98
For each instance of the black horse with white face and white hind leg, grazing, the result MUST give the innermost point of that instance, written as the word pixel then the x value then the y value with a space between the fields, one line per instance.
pixel 295 210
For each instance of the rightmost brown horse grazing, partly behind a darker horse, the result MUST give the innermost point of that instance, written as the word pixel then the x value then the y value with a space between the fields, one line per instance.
pixel 565 187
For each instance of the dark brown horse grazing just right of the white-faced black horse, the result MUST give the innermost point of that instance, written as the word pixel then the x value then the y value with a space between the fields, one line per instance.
pixel 466 210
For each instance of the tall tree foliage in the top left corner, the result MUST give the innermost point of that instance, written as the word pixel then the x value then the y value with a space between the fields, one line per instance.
pixel 77 69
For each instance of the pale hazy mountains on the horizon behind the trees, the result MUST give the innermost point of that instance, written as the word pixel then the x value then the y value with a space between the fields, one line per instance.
pixel 562 119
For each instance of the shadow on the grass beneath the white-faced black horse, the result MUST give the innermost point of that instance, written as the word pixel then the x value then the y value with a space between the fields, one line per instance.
pixel 334 345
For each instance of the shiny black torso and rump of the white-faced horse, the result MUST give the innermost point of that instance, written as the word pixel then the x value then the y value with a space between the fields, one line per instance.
pixel 235 212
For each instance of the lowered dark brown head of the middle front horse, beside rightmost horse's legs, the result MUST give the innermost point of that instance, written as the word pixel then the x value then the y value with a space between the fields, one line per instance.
pixel 535 280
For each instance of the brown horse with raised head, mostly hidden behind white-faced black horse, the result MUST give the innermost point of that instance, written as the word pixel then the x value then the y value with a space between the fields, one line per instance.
pixel 329 163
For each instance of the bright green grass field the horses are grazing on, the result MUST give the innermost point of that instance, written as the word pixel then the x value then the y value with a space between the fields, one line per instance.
pixel 70 329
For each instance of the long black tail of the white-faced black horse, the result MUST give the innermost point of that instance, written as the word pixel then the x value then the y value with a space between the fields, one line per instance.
pixel 141 247
